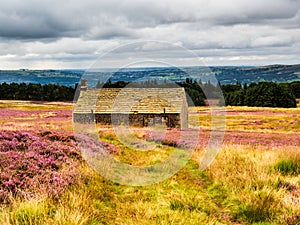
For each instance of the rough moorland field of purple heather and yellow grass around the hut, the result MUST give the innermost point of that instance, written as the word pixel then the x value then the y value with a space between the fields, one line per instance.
pixel 255 178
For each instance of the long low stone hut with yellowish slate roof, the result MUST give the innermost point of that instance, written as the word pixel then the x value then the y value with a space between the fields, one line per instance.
pixel 140 107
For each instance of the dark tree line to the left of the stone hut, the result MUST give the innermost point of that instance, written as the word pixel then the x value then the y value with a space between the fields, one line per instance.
pixel 37 92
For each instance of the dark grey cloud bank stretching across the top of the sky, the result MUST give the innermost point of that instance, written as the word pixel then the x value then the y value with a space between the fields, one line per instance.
pixel 48 19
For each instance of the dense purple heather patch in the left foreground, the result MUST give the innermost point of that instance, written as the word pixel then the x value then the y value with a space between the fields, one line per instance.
pixel 35 162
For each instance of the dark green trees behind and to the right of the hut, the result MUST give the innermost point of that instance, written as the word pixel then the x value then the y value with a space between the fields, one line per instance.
pixel 262 94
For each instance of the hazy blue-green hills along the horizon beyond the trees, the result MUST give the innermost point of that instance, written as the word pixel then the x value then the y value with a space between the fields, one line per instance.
pixel 224 74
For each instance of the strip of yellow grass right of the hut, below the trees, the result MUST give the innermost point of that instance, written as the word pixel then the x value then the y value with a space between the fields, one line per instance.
pixel 268 120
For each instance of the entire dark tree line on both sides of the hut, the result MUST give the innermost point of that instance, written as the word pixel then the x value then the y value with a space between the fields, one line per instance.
pixel 263 94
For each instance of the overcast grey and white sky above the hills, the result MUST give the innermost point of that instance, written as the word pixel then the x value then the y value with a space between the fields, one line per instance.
pixel 46 34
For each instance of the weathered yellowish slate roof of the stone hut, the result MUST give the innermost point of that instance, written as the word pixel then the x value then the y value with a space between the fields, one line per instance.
pixel 131 100
